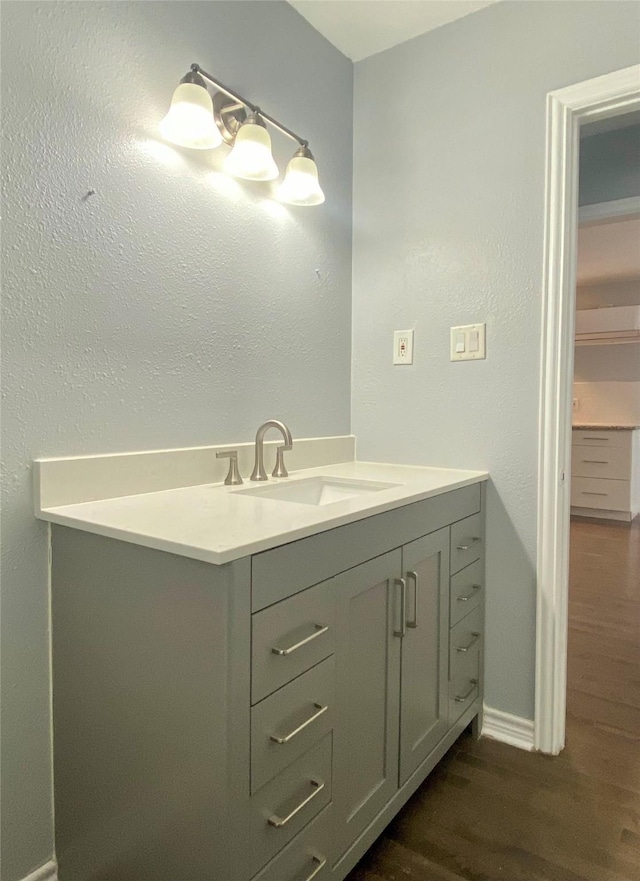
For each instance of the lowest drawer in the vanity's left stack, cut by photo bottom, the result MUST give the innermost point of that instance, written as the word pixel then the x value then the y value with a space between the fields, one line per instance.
pixel 307 857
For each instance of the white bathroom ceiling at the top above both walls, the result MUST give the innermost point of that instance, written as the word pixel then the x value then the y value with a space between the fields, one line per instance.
pixel 359 28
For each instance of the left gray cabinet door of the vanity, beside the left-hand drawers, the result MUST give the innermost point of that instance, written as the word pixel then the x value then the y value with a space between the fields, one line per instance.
pixel 367 683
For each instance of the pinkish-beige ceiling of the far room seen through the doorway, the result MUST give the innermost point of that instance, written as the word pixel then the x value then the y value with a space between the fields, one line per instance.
pixel 609 251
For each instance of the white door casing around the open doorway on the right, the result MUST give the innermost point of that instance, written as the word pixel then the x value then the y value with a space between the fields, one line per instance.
pixel 567 109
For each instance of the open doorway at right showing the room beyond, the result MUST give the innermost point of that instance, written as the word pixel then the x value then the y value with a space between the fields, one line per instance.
pixel 603 650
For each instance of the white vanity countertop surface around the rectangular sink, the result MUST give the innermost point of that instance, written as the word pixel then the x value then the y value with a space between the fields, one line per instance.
pixel 218 524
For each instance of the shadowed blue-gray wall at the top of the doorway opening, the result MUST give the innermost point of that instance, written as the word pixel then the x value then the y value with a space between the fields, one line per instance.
pixel 610 165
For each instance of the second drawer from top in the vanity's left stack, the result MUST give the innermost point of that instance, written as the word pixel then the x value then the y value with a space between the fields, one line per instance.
pixel 286 724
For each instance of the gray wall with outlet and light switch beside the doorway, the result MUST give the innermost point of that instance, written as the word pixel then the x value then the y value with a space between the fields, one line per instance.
pixel 448 229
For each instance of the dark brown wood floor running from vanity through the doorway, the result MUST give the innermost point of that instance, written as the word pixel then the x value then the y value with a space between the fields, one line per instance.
pixel 490 811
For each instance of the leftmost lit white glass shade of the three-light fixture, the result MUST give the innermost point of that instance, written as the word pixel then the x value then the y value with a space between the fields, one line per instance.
pixel 189 122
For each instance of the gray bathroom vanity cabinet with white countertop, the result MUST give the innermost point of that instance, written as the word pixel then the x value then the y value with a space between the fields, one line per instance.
pixel 262 716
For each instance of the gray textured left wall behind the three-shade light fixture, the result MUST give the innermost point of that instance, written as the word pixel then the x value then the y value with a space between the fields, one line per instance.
pixel 174 307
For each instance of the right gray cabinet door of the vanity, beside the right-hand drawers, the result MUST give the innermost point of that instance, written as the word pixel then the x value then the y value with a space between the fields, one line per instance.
pixel 423 691
